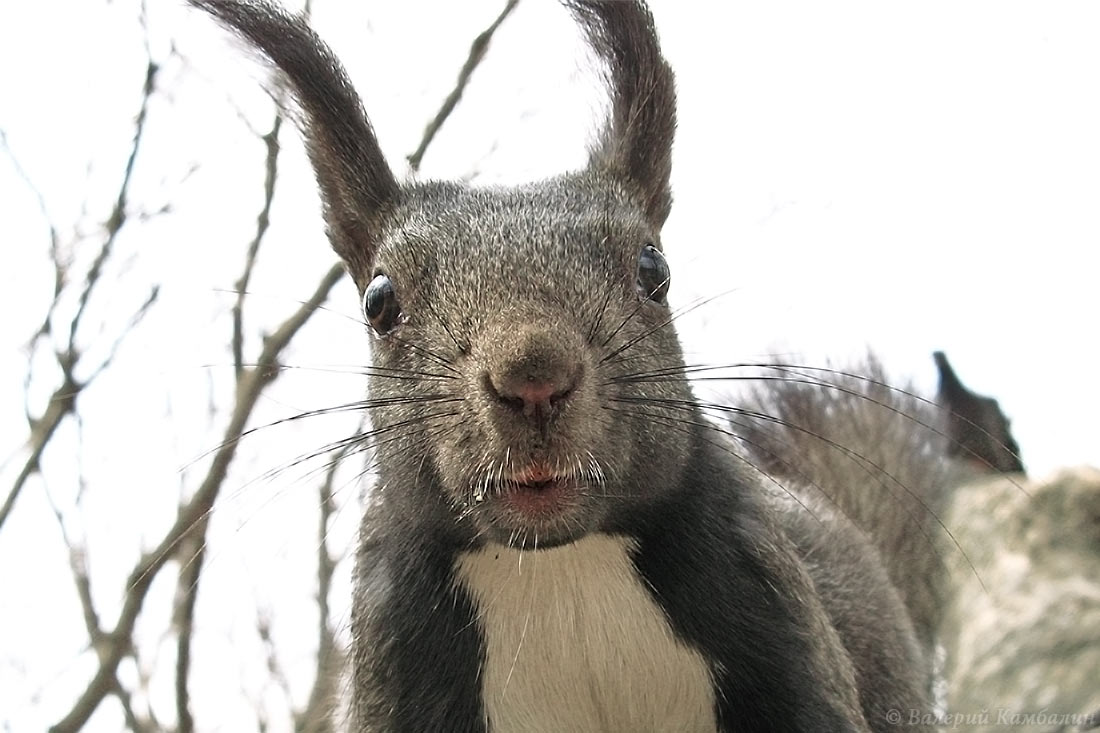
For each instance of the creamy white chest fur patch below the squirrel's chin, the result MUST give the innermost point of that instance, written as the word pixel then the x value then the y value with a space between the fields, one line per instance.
pixel 576 643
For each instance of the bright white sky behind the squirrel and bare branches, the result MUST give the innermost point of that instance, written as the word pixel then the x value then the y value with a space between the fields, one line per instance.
pixel 909 178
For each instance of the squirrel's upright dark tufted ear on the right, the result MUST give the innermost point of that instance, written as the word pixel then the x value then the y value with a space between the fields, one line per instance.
pixel 637 143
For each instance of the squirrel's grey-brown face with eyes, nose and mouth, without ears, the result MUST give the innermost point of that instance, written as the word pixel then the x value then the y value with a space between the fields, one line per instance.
pixel 526 312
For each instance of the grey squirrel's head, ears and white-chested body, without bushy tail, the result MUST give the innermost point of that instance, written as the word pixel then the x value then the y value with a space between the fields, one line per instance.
pixel 559 539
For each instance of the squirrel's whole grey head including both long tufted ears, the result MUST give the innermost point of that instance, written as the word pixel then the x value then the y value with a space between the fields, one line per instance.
pixel 526 381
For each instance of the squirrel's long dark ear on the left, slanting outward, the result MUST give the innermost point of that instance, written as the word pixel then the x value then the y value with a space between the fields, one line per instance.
pixel 357 185
